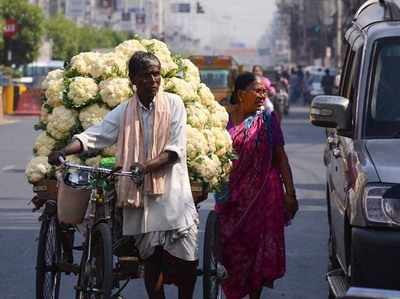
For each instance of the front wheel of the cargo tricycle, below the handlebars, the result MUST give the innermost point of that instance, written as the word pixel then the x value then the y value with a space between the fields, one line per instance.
pixel 95 278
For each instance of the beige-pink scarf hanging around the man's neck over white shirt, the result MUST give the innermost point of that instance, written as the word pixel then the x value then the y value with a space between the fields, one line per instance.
pixel 130 149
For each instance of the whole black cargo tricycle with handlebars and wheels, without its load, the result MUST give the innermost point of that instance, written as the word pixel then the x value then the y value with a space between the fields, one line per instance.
pixel 98 273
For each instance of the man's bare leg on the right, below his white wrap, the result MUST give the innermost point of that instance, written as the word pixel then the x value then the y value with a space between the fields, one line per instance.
pixel 185 273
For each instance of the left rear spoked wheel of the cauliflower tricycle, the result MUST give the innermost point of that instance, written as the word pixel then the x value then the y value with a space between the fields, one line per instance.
pixel 48 256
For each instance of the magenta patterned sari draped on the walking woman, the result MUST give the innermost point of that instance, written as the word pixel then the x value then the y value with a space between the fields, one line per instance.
pixel 252 219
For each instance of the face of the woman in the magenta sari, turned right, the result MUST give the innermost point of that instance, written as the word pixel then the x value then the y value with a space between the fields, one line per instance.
pixel 252 99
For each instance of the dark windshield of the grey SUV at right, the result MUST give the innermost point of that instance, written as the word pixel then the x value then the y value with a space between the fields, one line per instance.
pixel 383 119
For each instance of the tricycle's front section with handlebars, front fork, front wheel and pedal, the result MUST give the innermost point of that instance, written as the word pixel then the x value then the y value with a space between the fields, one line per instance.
pixel 98 275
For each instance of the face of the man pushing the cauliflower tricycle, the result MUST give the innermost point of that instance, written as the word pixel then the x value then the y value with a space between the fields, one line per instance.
pixel 148 80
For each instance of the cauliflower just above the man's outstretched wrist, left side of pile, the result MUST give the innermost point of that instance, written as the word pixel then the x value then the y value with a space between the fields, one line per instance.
pixel 60 122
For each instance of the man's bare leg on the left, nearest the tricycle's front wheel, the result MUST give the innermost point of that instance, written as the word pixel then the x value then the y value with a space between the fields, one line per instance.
pixel 153 276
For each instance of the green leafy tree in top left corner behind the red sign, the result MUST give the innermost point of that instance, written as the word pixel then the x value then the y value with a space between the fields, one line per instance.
pixel 26 42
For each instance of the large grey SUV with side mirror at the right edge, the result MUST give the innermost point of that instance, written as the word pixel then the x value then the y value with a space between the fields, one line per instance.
pixel 361 155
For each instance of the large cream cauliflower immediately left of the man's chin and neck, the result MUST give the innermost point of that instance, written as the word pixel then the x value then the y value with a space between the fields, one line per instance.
pixel 115 91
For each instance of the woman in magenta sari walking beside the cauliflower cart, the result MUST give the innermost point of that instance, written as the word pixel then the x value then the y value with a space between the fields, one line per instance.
pixel 261 196
